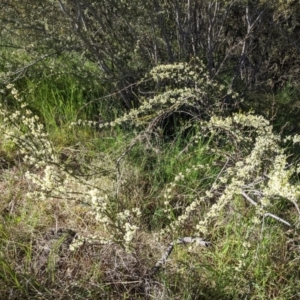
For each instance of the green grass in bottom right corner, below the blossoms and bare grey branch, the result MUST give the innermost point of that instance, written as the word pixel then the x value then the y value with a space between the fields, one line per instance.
pixel 232 270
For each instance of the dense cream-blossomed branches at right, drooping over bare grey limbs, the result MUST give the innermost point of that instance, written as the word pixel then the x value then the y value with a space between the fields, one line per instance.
pixel 255 167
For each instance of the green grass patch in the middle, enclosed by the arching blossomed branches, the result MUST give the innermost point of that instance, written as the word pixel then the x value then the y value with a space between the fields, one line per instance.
pixel 159 164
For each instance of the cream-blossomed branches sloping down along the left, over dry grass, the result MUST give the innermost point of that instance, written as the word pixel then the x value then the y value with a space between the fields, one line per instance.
pixel 51 178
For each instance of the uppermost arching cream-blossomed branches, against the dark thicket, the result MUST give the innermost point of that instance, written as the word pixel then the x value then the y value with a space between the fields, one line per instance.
pixel 179 87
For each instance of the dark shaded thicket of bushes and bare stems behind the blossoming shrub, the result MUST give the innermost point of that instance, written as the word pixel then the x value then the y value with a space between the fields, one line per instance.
pixel 251 46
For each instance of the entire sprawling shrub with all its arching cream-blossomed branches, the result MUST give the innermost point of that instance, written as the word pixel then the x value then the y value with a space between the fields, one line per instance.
pixel 254 163
